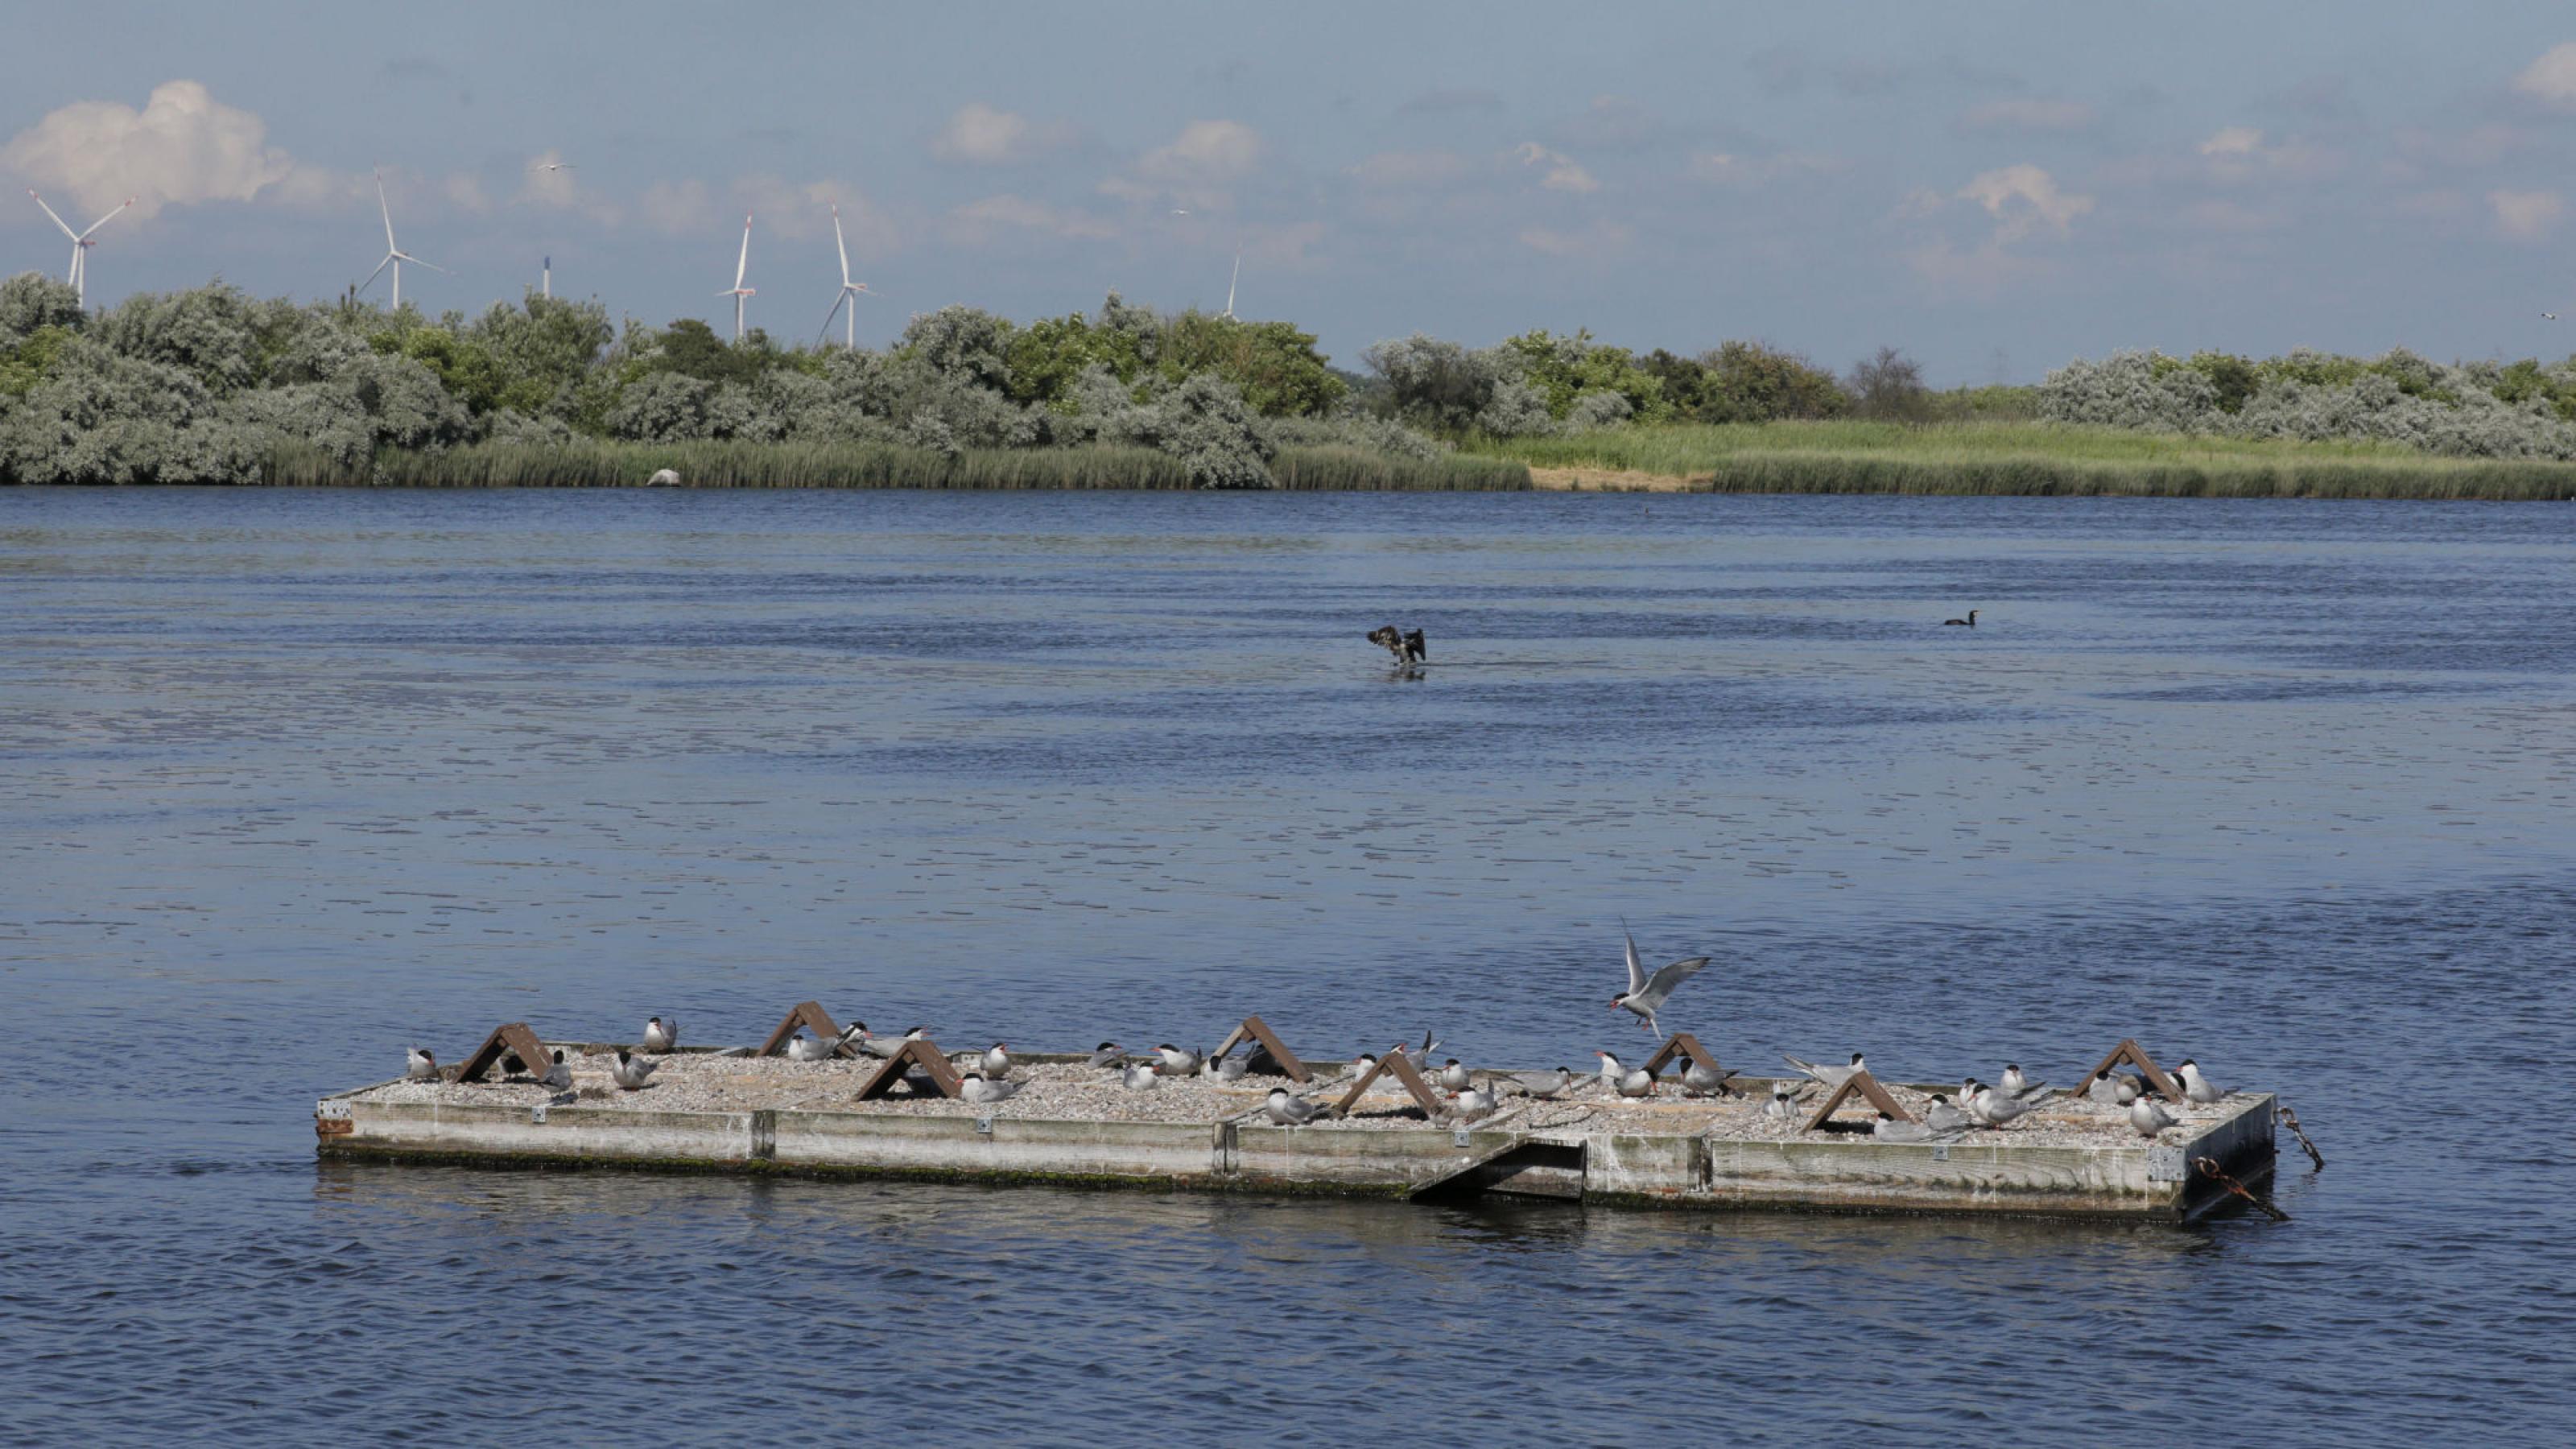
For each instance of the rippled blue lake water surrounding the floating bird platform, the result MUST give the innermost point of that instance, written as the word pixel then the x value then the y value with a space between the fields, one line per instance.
pixel 292 780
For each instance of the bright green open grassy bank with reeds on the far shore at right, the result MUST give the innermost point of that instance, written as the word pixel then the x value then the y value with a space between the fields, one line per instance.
pixel 2026 458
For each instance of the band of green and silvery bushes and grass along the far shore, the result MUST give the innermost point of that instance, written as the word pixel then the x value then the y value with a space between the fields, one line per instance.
pixel 213 385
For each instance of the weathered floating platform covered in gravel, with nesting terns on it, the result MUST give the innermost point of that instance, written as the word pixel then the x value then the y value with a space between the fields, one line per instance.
pixel 1078 1125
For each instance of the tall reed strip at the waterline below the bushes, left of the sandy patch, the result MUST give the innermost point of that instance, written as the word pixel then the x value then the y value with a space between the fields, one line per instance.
pixel 591 463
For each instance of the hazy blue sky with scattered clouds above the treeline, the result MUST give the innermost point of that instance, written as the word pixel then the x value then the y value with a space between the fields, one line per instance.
pixel 1990 187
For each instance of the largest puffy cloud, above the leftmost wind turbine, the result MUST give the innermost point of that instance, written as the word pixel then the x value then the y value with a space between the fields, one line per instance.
pixel 182 148
